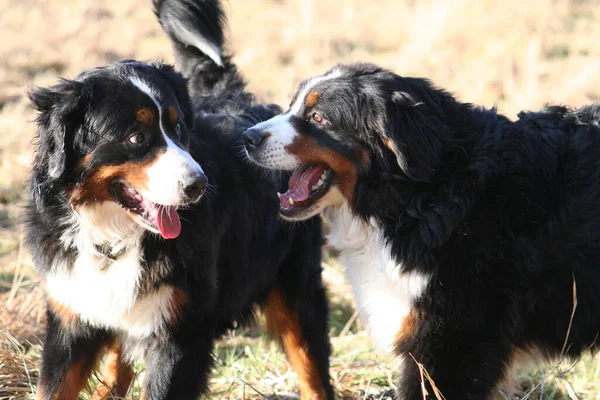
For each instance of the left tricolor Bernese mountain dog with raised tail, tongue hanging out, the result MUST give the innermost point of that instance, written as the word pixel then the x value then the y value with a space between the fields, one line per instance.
pixel 155 237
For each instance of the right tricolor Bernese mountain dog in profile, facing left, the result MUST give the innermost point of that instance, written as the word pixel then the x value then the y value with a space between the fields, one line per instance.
pixel 465 234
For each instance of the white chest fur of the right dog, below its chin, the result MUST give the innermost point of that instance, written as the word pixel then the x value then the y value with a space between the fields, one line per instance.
pixel 383 293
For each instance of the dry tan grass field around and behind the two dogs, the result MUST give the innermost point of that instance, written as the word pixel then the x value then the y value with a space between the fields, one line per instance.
pixel 514 54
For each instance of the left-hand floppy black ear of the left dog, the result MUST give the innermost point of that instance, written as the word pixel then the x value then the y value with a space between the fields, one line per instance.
pixel 55 105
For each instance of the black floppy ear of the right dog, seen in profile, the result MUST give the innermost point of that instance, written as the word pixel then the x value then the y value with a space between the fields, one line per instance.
pixel 416 134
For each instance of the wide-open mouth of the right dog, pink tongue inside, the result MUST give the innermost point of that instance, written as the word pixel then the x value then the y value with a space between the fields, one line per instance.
pixel 306 186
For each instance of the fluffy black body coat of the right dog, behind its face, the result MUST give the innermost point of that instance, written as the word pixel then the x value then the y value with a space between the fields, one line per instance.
pixel 505 217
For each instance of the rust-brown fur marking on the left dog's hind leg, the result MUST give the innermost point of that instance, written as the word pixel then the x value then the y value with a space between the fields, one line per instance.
pixel 283 324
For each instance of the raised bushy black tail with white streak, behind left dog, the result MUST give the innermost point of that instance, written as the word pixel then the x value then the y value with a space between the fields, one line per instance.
pixel 195 28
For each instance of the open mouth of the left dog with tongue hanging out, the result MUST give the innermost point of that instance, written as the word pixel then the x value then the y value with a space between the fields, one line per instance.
pixel 163 219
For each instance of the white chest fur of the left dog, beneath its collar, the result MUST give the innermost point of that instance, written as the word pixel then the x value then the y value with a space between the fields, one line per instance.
pixel 107 295
